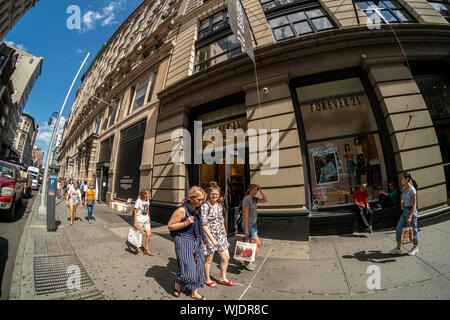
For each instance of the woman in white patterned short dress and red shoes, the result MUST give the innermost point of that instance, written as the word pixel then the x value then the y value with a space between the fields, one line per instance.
pixel 216 236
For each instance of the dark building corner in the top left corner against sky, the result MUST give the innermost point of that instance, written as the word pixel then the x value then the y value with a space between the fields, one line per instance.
pixel 11 12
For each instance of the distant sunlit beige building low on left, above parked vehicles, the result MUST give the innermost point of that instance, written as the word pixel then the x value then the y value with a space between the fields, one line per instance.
pixel 25 138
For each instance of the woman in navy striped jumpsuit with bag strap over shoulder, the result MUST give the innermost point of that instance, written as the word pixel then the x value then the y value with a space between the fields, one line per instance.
pixel 186 224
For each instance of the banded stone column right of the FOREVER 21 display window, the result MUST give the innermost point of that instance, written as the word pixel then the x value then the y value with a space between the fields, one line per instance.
pixel 416 149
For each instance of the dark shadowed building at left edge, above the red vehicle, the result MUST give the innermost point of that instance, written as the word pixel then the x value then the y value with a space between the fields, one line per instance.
pixel 8 112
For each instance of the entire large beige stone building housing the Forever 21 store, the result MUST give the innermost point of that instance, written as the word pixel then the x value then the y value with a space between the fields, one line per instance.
pixel 358 94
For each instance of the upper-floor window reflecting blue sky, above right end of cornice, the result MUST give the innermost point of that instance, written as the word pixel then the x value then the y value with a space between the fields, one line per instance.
pixel 385 12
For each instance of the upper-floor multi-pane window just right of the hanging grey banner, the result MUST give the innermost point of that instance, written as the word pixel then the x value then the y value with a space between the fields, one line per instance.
pixel 289 19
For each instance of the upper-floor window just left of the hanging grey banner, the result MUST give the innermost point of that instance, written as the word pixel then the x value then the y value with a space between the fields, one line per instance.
pixel 216 42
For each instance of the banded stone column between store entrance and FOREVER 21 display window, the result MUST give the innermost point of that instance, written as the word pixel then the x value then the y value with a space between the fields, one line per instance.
pixel 285 189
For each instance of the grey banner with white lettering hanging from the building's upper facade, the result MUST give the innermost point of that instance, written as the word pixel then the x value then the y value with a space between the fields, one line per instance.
pixel 240 26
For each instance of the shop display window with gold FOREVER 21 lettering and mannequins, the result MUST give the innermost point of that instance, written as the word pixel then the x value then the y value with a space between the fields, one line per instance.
pixel 343 143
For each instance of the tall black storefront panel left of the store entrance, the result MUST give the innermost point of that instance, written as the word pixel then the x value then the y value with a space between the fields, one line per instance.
pixel 129 161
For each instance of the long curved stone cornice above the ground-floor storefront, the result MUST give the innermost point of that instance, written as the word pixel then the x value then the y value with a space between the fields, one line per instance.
pixel 317 43
